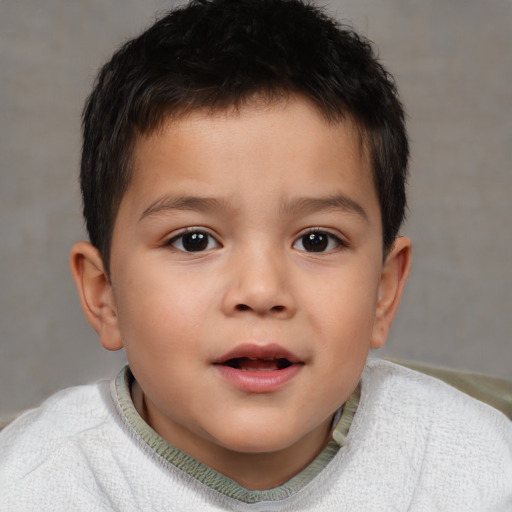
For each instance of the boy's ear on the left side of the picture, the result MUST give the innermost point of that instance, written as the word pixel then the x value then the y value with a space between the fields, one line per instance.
pixel 95 293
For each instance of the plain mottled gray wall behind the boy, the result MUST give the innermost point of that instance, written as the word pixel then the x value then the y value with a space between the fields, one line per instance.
pixel 452 60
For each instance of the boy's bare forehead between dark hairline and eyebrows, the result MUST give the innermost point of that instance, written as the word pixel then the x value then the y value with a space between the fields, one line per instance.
pixel 286 143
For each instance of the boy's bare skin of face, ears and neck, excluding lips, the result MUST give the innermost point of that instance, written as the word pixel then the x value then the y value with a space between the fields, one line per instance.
pixel 261 179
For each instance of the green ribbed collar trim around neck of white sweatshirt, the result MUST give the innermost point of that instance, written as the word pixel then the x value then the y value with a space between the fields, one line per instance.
pixel 218 481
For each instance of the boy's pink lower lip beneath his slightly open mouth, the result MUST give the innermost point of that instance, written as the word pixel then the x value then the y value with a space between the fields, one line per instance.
pixel 260 381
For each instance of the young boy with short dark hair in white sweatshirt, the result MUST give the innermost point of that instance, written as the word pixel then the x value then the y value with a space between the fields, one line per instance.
pixel 243 177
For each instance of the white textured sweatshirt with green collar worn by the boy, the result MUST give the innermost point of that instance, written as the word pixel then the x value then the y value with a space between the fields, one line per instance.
pixel 414 444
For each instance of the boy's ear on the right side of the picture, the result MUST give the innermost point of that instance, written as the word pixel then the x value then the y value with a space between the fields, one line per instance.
pixel 392 281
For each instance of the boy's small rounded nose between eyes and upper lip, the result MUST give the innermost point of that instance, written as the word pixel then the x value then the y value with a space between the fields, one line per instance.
pixel 259 283
